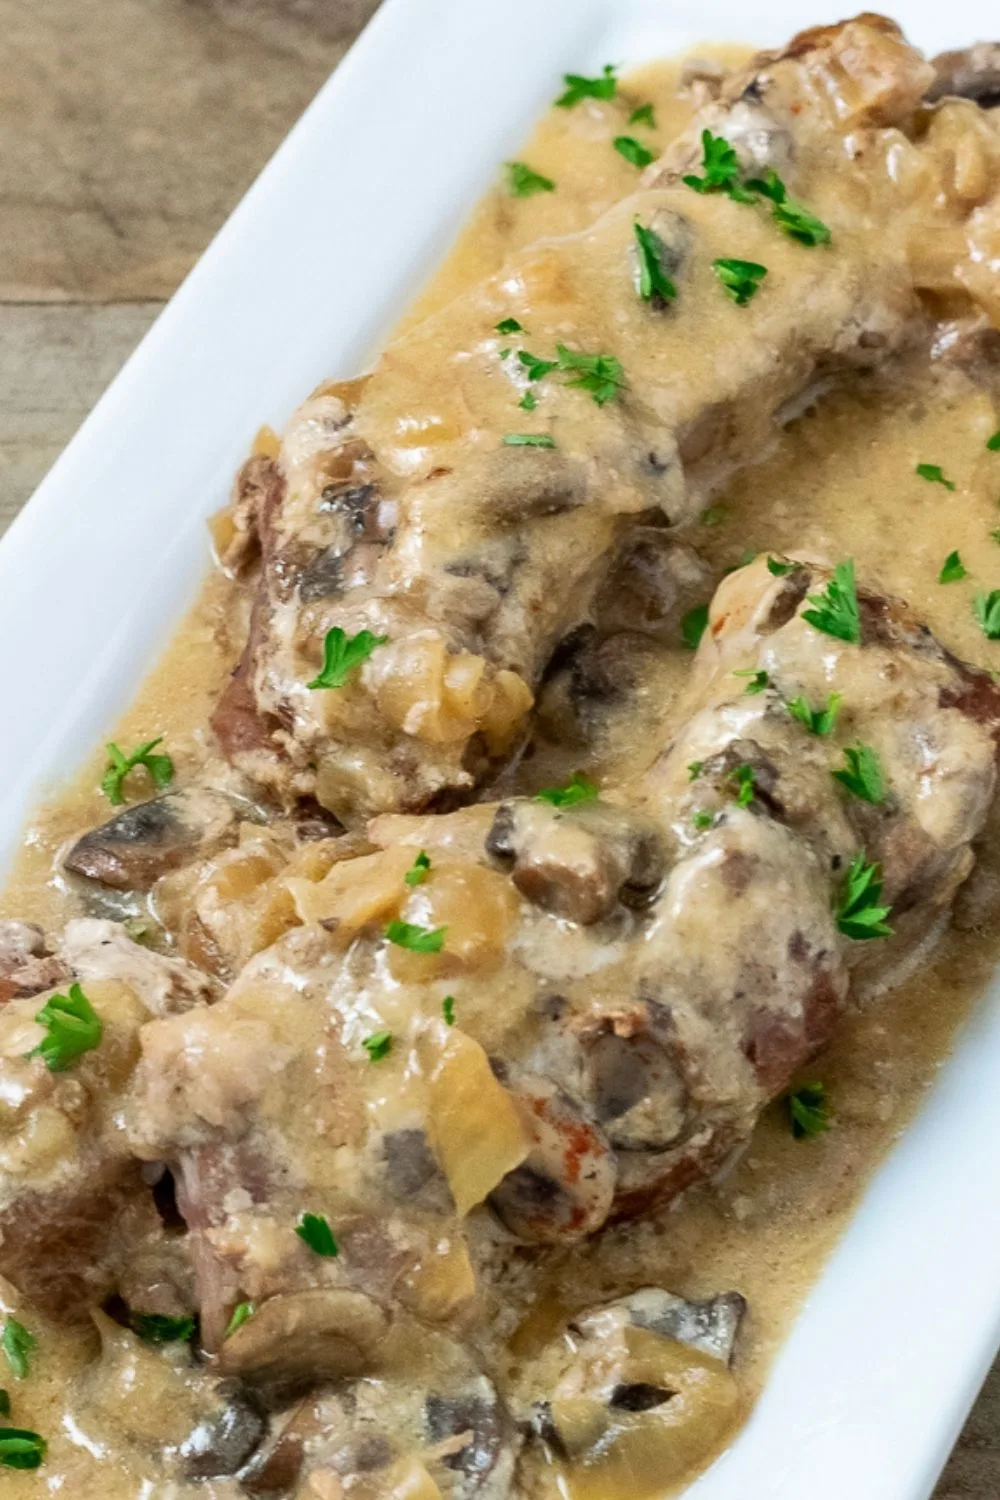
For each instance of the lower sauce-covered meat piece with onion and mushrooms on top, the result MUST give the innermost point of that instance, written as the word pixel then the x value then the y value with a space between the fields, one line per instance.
pixel 630 979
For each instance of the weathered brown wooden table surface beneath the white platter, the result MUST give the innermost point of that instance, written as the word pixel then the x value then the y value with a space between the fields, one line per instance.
pixel 130 130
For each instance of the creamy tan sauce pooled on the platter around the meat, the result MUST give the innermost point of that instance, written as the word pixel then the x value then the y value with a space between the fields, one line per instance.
pixel 842 484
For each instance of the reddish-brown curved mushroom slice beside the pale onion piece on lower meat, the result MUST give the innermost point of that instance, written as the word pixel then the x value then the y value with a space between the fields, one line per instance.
pixel 566 1186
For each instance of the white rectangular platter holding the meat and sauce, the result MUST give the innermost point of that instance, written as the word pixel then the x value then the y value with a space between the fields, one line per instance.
pixel 305 280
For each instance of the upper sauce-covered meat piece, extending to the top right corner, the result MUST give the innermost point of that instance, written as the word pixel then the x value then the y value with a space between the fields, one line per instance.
pixel 397 506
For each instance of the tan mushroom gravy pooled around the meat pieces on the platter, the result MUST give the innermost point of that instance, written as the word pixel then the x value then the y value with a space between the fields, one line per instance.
pixel 842 482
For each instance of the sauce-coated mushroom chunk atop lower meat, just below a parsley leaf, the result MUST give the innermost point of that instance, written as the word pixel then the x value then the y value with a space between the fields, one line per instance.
pixel 581 862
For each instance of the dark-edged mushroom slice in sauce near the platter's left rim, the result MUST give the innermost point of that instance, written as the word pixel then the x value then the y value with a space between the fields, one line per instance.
pixel 137 847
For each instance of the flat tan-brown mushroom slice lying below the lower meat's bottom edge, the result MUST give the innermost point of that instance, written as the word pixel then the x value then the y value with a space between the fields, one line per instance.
pixel 301 1339
